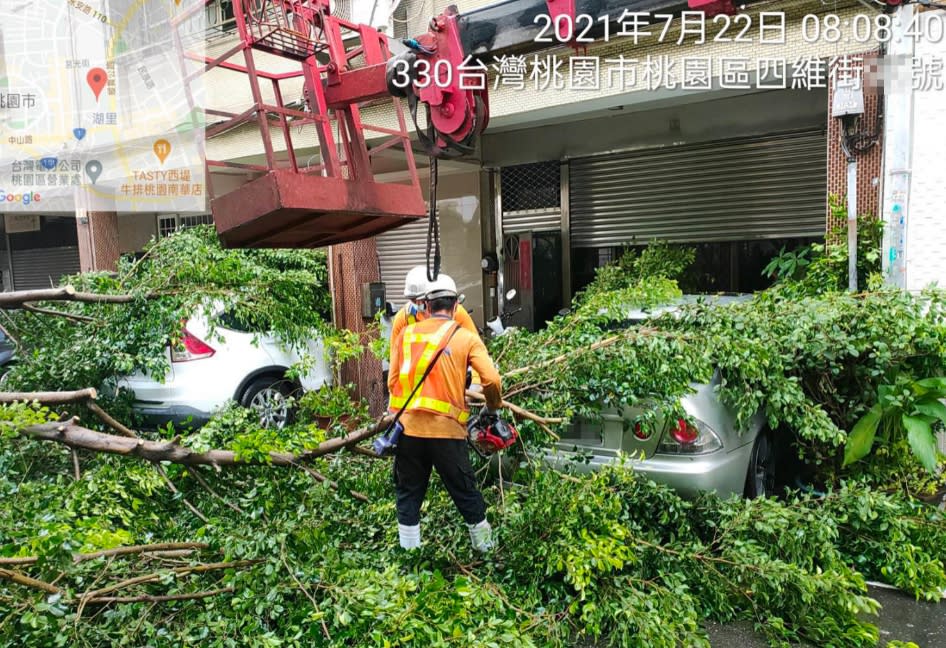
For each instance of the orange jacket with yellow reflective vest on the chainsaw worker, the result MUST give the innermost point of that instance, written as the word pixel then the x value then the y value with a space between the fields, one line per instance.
pixel 439 408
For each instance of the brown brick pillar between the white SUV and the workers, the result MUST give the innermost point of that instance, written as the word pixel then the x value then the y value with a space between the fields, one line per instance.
pixel 354 264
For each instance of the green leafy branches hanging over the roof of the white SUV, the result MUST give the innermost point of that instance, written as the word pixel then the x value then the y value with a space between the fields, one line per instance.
pixel 280 291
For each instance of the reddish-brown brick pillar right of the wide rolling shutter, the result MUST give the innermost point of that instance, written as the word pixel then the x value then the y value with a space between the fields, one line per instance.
pixel 868 163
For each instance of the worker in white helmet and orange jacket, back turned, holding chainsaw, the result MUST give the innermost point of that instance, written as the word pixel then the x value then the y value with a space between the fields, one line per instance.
pixel 435 419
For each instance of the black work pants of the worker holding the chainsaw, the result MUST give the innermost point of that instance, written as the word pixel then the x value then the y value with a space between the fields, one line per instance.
pixel 412 463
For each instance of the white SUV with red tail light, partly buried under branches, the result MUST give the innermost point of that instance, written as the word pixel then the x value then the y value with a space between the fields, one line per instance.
pixel 207 373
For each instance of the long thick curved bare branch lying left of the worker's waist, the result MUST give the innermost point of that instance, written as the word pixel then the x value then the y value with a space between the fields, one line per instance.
pixel 75 436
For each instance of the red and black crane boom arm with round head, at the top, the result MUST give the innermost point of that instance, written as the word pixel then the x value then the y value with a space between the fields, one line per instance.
pixel 444 70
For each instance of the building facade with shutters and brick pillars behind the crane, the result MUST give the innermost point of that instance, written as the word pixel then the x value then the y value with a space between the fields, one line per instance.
pixel 695 138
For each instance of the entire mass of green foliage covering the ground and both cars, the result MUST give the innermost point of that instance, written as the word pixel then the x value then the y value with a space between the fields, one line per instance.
pixel 604 559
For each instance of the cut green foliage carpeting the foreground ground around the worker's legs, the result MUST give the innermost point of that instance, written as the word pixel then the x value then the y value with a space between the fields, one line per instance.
pixel 607 558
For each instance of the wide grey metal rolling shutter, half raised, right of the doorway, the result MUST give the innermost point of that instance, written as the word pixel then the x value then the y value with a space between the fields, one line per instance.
pixel 764 187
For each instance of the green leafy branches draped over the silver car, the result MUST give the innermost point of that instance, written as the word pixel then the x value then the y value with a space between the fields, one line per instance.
pixel 810 364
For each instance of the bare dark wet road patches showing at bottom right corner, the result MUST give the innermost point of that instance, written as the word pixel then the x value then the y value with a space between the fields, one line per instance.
pixel 901 618
